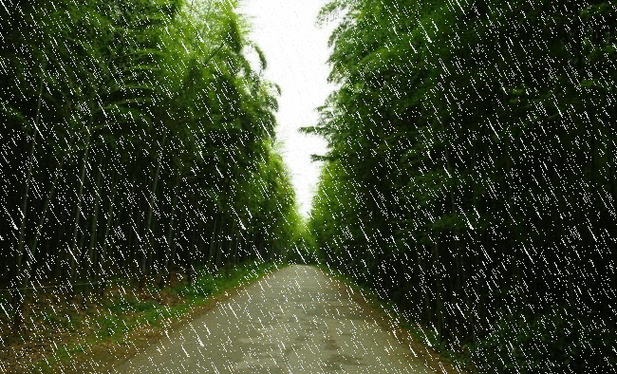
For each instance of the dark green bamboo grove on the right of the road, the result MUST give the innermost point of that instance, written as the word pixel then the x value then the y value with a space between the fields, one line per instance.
pixel 471 173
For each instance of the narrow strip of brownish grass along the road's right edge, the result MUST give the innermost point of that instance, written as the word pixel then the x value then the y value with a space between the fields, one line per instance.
pixel 424 342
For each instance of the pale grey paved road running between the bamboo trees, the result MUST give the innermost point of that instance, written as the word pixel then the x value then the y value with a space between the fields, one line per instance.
pixel 297 320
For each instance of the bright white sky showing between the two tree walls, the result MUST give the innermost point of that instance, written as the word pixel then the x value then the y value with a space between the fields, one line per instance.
pixel 296 50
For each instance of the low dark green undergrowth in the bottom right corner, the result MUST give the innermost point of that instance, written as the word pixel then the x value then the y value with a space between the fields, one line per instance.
pixel 553 342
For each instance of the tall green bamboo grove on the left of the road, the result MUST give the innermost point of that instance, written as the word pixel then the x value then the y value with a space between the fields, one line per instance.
pixel 136 139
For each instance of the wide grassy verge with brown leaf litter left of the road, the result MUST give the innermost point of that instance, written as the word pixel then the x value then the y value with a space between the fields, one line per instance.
pixel 91 334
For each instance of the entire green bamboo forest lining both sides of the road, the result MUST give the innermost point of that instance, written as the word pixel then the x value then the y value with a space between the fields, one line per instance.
pixel 470 178
